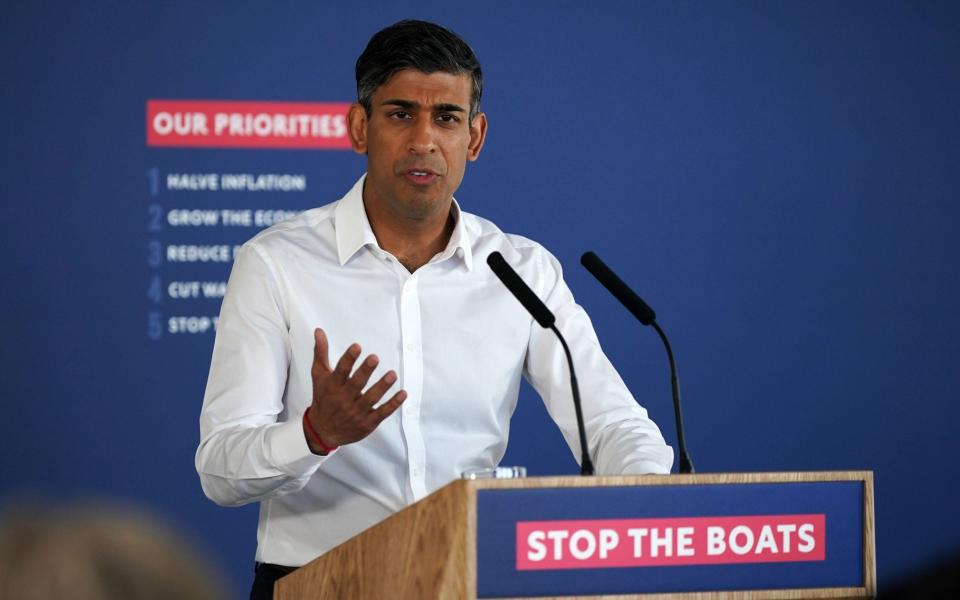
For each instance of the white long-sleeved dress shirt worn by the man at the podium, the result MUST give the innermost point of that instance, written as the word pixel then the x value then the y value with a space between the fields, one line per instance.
pixel 458 341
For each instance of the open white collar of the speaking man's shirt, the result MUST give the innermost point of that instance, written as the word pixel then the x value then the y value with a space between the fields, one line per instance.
pixel 353 229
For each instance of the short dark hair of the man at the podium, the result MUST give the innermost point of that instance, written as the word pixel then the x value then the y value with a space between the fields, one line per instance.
pixel 419 45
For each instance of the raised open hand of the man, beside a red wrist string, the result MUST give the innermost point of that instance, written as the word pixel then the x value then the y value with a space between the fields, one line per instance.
pixel 343 412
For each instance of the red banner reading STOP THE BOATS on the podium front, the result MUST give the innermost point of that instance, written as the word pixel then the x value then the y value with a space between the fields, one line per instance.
pixel 603 543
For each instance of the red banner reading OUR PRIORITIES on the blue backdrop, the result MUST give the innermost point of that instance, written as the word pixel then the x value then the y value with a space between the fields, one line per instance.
pixel 243 124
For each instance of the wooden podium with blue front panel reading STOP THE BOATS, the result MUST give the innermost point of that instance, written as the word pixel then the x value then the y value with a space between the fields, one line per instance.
pixel 467 540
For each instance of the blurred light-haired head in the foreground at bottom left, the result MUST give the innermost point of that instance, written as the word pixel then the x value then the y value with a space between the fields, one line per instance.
pixel 98 553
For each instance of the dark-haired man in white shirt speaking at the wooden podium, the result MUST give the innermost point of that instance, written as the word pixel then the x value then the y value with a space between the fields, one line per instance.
pixel 300 417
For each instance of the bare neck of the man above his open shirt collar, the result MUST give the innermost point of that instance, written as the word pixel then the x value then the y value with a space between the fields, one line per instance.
pixel 412 241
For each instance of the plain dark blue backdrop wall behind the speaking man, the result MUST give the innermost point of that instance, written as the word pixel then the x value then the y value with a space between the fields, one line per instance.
pixel 778 179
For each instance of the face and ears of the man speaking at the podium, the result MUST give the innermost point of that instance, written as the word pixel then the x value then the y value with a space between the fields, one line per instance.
pixel 417 141
